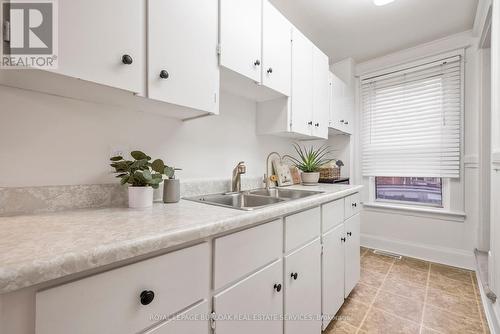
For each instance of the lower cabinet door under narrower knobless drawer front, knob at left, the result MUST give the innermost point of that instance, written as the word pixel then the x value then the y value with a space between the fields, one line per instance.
pixel 303 289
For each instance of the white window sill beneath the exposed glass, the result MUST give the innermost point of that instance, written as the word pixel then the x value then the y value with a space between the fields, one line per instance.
pixel 415 211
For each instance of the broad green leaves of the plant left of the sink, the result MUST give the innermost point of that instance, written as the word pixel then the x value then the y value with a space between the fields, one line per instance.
pixel 141 172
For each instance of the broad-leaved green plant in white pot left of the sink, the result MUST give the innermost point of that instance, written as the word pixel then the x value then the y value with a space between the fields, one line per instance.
pixel 141 175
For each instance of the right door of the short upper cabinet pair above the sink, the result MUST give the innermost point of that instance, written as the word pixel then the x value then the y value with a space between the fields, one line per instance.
pixel 276 50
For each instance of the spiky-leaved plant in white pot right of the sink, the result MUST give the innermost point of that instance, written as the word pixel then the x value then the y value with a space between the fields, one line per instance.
pixel 309 162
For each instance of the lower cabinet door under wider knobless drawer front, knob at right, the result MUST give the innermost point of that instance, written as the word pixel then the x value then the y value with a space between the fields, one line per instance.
pixel 257 294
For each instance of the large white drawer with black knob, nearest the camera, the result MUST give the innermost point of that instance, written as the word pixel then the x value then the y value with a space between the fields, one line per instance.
pixel 111 302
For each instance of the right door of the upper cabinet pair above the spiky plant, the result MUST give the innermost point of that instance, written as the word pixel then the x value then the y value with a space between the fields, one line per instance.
pixel 321 112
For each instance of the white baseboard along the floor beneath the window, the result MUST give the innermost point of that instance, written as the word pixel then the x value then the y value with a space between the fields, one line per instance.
pixel 449 256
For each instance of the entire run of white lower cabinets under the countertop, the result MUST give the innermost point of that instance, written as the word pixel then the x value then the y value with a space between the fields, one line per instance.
pixel 284 276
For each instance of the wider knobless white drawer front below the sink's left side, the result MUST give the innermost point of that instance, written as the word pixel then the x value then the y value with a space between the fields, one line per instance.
pixel 240 253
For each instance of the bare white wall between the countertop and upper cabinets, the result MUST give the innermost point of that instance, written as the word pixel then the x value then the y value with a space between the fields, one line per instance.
pixel 48 140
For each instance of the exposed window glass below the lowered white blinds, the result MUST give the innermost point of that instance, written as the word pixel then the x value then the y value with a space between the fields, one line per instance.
pixel 411 190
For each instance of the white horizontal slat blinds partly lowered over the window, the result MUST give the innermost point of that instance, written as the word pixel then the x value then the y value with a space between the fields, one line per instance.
pixel 411 121
